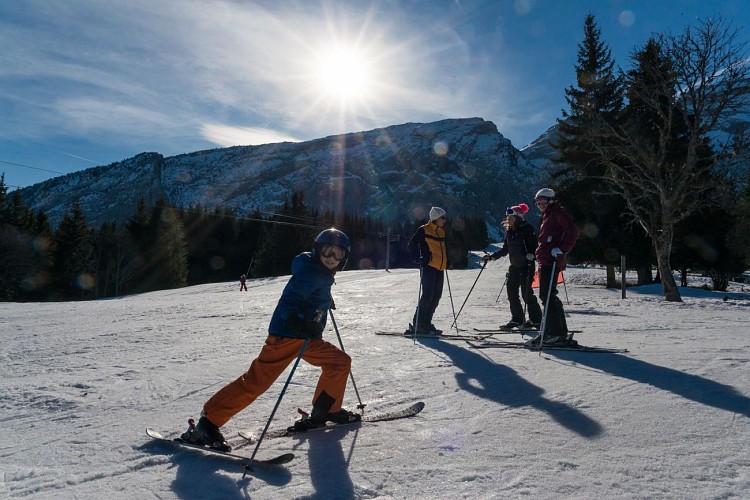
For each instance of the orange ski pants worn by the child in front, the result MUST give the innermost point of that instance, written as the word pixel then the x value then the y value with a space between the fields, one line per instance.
pixel 276 355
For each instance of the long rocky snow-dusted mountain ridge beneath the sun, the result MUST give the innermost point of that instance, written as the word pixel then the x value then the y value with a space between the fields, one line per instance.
pixel 464 165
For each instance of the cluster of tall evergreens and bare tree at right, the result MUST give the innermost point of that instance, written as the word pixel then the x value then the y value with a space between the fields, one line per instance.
pixel 637 169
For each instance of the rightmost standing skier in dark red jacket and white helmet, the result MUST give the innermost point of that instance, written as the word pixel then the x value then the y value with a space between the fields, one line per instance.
pixel 557 237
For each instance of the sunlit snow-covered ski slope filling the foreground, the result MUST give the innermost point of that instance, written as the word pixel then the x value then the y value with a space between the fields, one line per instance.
pixel 80 381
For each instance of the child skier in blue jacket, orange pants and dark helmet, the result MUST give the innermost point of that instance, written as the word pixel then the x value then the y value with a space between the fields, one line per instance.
pixel 300 314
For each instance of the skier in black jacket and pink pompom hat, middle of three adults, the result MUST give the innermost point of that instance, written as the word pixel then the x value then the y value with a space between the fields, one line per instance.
pixel 519 245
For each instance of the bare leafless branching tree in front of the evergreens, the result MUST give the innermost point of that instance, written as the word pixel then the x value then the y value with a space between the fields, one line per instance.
pixel 659 158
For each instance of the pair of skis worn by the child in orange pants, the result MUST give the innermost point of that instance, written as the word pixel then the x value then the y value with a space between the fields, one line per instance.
pixel 284 458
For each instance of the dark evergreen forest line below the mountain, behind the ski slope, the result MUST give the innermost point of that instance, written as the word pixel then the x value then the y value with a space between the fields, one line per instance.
pixel 163 246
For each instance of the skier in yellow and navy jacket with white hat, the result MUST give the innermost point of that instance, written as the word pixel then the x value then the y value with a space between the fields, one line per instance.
pixel 427 248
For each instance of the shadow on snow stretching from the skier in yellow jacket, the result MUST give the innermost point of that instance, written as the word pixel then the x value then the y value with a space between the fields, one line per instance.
pixel 495 382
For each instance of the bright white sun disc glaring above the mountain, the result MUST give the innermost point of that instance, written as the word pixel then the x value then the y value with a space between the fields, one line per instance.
pixel 344 74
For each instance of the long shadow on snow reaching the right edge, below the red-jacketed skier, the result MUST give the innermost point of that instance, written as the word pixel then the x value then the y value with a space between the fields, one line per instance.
pixel 692 387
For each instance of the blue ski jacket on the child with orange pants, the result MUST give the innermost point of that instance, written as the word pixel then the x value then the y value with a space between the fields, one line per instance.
pixel 306 292
